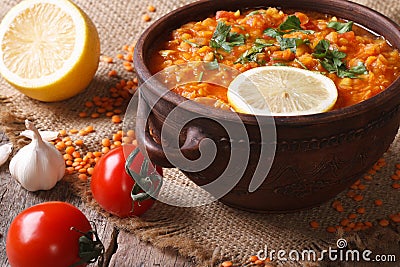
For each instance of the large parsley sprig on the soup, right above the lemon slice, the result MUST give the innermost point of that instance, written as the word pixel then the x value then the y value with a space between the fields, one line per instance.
pixel 332 61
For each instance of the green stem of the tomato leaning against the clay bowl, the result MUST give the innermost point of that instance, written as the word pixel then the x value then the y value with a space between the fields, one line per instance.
pixel 146 185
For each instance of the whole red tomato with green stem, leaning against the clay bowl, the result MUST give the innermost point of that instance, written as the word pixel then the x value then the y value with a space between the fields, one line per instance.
pixel 113 183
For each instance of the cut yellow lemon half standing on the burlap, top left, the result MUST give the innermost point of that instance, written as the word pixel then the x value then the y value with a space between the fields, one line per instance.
pixel 49 49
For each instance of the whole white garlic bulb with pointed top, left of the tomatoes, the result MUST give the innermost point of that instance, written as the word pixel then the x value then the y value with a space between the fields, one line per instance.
pixel 39 165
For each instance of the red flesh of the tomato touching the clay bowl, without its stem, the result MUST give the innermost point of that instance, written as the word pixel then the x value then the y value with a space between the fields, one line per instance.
pixel 111 186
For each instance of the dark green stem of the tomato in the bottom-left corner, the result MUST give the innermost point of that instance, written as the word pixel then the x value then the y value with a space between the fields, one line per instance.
pixel 91 248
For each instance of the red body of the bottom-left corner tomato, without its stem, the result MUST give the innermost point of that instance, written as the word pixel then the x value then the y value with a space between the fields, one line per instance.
pixel 41 236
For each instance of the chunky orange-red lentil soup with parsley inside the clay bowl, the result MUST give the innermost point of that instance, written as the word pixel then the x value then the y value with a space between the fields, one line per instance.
pixel 360 63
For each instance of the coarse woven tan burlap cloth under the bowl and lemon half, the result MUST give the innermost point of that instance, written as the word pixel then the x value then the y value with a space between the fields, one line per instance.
pixel 212 233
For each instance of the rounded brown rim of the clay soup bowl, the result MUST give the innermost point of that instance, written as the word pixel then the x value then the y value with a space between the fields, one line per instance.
pixel 144 73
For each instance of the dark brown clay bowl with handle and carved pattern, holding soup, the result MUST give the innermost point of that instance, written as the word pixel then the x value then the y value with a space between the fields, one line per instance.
pixel 317 156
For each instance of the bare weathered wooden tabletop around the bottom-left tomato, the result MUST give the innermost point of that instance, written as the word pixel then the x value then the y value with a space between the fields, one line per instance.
pixel 123 249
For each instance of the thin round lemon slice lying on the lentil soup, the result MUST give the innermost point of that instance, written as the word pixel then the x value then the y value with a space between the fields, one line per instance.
pixel 281 91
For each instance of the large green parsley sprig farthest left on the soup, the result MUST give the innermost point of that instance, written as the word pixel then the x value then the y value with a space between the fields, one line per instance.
pixel 223 38
